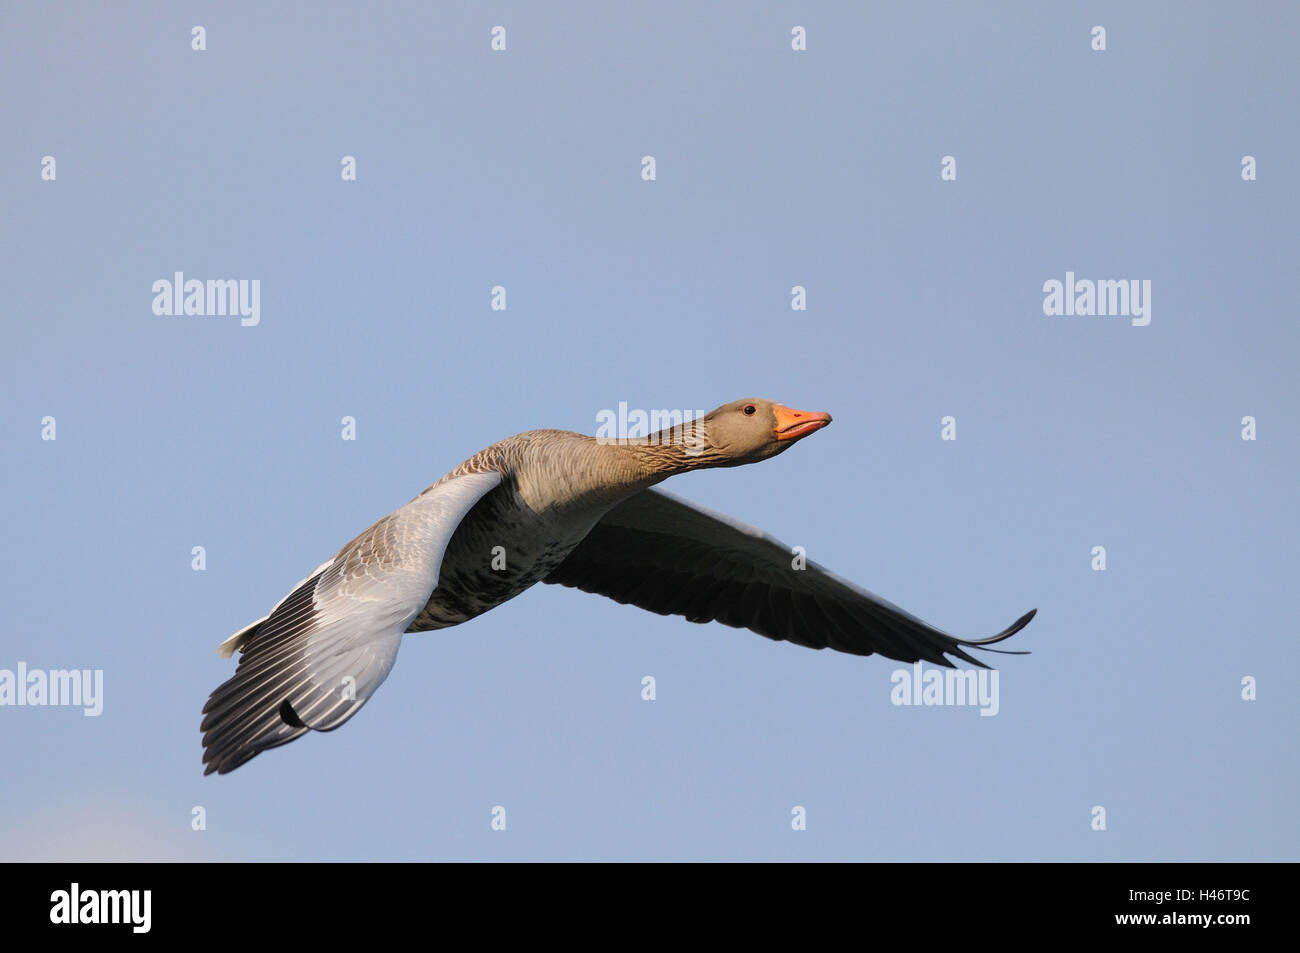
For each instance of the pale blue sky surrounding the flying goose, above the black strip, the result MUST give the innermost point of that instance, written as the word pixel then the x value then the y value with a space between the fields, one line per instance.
pixel 775 168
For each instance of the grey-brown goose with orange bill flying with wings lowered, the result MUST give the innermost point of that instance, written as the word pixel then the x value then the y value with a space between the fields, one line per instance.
pixel 549 506
